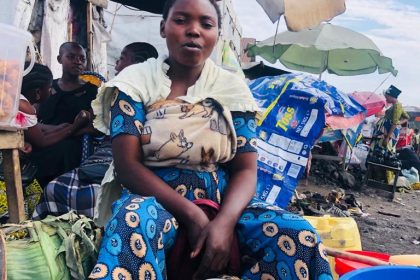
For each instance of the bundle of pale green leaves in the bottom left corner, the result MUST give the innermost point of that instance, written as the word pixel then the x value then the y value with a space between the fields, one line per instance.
pixel 56 248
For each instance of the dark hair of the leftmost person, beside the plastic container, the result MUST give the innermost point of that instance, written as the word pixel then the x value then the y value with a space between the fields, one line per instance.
pixel 39 76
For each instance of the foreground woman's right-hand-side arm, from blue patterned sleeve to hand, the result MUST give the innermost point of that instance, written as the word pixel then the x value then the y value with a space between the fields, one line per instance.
pixel 218 234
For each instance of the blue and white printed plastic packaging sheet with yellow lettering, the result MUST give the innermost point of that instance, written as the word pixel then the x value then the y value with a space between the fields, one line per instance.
pixel 291 121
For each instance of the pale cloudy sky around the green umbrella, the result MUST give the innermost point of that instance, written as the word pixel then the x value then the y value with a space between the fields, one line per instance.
pixel 393 25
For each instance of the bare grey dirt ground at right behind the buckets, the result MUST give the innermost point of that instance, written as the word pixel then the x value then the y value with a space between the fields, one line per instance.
pixel 394 231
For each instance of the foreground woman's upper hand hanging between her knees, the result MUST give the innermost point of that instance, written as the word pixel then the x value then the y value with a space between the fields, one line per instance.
pixel 216 238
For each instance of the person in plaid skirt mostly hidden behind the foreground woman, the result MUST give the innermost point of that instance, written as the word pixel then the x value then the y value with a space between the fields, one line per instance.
pixel 77 189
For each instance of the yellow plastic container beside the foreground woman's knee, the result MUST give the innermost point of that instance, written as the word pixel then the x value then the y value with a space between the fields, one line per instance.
pixel 339 233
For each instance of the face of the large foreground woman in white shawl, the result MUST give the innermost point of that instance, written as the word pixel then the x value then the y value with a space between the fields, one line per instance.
pixel 191 31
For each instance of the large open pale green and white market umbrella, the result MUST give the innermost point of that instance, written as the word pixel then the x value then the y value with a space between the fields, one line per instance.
pixel 338 50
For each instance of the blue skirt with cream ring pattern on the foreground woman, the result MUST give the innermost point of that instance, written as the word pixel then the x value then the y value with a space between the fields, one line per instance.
pixel 141 233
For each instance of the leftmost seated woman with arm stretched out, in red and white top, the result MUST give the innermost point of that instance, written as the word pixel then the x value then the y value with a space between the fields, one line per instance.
pixel 36 87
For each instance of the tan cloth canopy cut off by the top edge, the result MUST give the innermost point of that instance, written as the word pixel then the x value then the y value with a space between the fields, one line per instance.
pixel 301 14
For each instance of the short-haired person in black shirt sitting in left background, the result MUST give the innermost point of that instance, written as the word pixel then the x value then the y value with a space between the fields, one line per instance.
pixel 70 96
